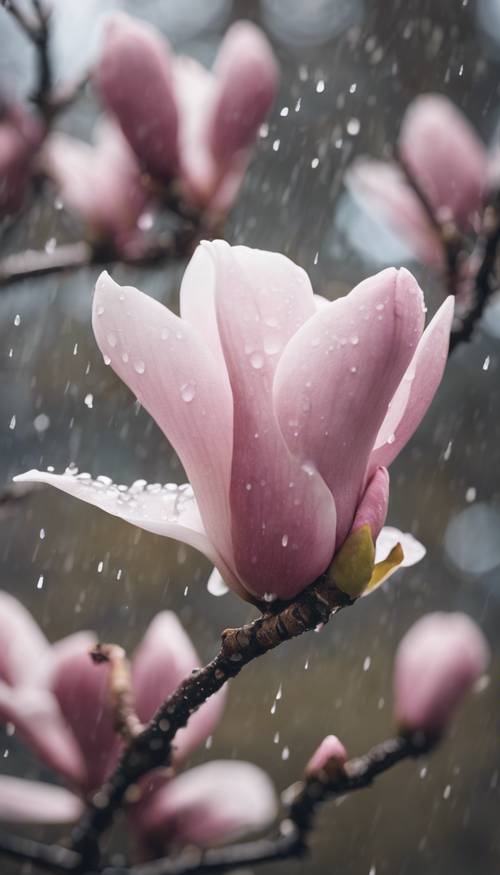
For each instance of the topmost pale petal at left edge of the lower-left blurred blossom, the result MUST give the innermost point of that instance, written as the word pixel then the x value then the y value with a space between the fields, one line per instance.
pixel 22 643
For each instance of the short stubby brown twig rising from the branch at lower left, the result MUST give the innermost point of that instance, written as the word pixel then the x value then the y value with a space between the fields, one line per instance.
pixel 127 723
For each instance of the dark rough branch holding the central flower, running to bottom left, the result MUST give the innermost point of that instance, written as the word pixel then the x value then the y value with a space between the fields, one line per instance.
pixel 152 748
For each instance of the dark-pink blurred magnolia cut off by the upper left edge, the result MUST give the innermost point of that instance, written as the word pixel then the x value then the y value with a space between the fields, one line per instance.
pixel 20 137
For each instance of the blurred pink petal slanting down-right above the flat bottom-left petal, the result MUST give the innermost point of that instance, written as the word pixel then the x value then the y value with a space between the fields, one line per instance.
pixel 35 712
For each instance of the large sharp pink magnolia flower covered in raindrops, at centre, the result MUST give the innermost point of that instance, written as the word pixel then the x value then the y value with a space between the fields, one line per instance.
pixel 285 412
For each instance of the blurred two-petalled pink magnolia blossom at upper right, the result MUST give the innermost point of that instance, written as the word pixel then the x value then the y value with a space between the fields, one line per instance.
pixel 448 162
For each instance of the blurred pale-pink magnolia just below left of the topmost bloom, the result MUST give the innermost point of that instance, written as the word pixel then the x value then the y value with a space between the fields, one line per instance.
pixel 101 183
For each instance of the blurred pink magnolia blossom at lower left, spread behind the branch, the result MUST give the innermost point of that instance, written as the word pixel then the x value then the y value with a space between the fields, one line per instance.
pixel 57 699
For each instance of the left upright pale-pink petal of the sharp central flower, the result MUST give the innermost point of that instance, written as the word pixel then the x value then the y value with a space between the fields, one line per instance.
pixel 165 363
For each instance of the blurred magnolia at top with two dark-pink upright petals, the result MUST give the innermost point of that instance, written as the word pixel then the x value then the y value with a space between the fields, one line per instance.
pixel 183 122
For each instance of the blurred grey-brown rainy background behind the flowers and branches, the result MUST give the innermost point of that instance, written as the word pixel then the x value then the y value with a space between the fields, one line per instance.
pixel 349 69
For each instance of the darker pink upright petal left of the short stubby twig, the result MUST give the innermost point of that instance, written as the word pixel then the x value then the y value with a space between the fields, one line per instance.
pixel 81 689
